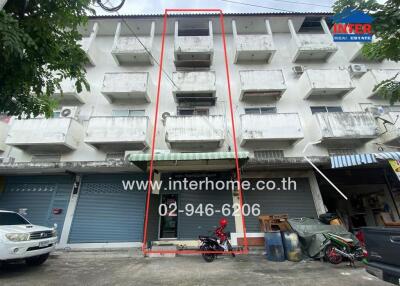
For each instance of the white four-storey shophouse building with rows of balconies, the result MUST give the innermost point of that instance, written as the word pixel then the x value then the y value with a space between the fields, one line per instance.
pixel 294 92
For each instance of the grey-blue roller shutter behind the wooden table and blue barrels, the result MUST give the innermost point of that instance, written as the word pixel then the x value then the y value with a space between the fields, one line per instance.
pixel 295 203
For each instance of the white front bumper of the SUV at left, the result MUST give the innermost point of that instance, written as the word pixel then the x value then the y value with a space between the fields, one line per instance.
pixel 10 250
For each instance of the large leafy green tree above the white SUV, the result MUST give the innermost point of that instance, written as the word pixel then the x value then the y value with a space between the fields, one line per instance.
pixel 39 48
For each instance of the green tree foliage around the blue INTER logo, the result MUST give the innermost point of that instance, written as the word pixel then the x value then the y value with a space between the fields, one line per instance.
pixel 386 28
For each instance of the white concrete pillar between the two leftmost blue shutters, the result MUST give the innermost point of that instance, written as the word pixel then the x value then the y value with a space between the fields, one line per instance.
pixel 70 213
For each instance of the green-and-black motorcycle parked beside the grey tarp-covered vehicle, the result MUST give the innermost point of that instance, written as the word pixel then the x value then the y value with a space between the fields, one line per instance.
pixel 335 248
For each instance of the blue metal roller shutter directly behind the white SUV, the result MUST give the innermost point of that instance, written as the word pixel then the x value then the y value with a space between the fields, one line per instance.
pixel 39 195
